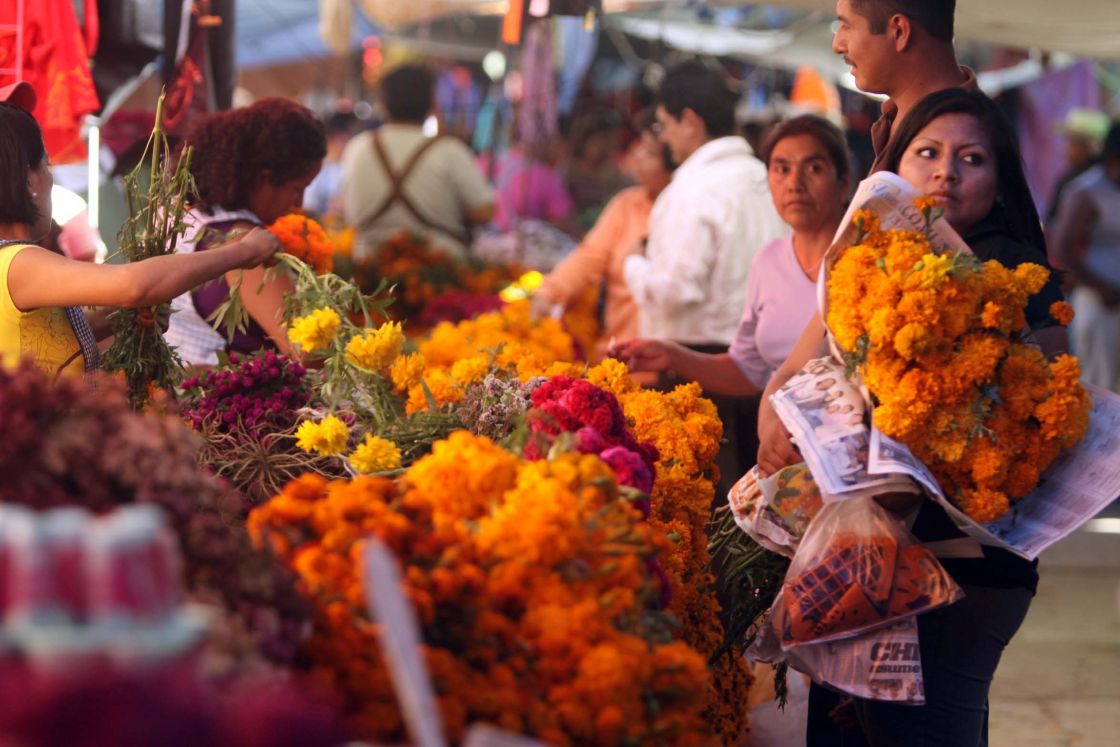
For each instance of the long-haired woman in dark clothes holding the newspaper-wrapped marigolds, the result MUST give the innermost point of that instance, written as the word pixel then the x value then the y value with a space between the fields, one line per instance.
pixel 957 148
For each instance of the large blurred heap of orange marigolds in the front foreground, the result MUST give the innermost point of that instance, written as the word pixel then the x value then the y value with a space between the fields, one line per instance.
pixel 534 585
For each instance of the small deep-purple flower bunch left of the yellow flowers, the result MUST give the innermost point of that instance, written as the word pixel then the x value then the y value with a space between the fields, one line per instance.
pixel 255 393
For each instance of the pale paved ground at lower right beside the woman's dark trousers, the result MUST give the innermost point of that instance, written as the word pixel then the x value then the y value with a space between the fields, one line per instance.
pixel 1059 684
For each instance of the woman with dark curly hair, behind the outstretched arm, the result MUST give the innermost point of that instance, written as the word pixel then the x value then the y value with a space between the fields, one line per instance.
pixel 251 167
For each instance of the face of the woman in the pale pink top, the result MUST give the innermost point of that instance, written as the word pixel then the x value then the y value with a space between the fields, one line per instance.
pixel 805 186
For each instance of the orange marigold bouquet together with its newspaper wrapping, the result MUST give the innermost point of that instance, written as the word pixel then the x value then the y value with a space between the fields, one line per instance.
pixel 963 401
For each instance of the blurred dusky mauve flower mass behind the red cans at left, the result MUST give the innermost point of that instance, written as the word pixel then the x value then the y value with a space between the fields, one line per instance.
pixel 77 442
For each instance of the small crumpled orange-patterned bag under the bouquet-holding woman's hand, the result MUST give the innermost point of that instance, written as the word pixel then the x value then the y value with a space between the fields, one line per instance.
pixel 776 511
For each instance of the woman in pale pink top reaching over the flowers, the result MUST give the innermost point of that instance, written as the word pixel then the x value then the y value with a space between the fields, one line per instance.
pixel 809 176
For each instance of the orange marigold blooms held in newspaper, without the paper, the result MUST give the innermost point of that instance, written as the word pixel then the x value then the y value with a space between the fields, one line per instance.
pixel 940 340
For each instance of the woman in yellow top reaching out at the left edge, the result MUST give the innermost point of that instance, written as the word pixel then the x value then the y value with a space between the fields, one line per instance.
pixel 41 292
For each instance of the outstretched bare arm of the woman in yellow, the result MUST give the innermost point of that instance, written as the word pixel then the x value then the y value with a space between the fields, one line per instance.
pixel 39 278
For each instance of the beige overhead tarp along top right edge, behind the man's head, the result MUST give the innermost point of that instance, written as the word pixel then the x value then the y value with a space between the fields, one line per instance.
pixel 1088 29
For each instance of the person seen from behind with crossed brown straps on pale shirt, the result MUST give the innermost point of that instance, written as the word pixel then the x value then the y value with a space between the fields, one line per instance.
pixel 398 179
